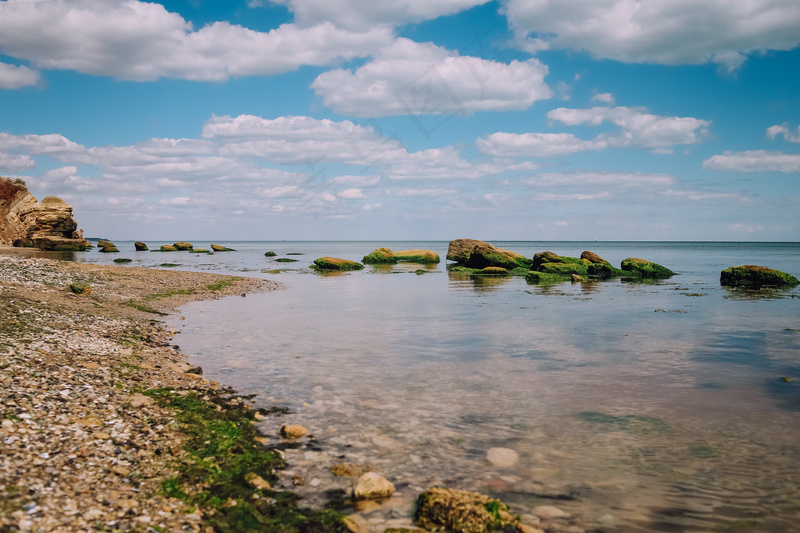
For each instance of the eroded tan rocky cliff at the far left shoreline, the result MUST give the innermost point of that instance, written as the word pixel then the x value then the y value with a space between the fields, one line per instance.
pixel 48 224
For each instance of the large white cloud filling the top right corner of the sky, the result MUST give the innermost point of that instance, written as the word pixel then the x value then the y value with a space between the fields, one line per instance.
pixel 660 31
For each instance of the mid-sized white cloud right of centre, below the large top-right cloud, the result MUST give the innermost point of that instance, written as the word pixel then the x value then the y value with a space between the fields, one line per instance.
pixel 638 128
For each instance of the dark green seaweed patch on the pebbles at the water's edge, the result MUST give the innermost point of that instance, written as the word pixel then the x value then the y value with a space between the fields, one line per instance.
pixel 223 458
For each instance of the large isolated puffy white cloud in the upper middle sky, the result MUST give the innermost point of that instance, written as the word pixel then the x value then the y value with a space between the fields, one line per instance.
pixel 409 78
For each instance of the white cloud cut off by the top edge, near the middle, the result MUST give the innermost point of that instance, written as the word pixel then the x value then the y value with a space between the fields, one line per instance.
pixel 357 14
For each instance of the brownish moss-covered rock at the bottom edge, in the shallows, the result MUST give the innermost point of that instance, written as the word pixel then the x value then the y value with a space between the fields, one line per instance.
pixel 460 510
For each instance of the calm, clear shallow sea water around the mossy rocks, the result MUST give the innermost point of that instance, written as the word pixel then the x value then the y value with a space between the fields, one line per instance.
pixel 633 407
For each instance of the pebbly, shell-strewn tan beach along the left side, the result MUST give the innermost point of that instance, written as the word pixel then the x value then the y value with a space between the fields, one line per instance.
pixel 81 449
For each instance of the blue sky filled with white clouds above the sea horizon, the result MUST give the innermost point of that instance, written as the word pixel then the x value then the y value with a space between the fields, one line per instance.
pixel 409 119
